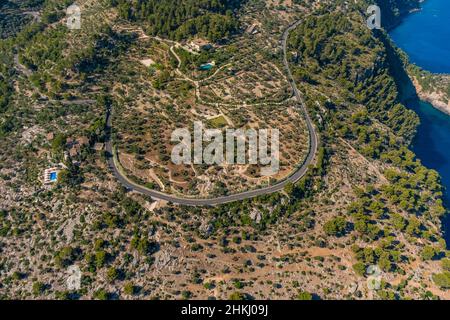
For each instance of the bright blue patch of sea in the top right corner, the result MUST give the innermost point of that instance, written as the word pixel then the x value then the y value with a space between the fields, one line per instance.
pixel 425 36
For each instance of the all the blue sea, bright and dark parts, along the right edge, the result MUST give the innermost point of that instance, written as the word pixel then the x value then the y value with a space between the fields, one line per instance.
pixel 425 37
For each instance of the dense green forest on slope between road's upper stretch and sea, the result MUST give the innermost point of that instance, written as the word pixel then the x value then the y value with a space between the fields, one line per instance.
pixel 361 63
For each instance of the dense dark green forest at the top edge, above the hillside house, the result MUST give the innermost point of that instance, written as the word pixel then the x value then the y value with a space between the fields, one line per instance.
pixel 181 19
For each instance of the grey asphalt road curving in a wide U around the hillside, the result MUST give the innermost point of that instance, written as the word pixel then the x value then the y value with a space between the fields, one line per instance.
pixel 295 177
